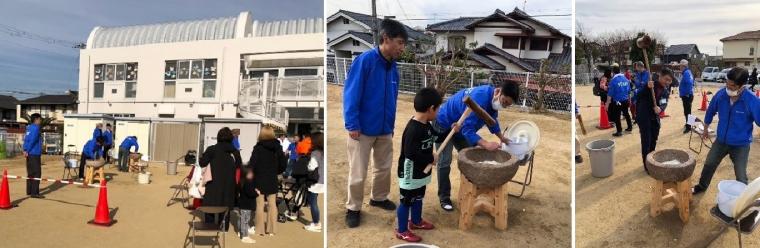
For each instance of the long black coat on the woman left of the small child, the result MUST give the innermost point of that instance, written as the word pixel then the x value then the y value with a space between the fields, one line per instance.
pixel 224 160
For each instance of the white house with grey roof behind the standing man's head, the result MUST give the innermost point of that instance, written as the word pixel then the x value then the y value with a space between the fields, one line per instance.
pixel 350 34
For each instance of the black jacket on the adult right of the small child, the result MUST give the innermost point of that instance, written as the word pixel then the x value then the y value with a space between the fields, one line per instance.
pixel 267 161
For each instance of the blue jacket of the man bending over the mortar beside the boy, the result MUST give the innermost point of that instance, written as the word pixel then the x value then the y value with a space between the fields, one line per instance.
pixel 453 108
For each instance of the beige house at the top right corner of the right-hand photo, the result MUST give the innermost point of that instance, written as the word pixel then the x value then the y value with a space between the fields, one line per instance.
pixel 741 49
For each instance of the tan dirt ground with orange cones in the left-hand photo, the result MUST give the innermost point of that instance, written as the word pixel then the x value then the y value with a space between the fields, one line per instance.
pixel 143 219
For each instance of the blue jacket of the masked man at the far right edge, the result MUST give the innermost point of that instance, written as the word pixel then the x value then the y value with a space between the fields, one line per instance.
pixel 735 121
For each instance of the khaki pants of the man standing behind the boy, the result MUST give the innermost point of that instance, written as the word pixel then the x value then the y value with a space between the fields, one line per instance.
pixel 359 151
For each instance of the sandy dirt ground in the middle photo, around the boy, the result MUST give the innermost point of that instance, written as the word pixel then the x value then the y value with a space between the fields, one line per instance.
pixel 541 218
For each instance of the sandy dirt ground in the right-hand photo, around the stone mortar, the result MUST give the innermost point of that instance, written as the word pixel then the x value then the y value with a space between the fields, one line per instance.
pixel 614 211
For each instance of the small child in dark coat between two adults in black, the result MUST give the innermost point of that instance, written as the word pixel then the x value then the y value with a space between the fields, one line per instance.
pixel 246 204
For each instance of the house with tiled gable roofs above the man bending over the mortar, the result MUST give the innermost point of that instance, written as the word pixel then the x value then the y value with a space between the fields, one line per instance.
pixel 513 41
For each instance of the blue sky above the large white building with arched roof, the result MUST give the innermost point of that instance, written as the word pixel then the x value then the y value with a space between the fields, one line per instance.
pixel 28 65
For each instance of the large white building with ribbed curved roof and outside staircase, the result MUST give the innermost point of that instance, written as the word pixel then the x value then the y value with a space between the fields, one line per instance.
pixel 230 67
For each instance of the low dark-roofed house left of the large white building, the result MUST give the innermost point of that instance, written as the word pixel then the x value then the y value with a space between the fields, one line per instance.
pixel 49 106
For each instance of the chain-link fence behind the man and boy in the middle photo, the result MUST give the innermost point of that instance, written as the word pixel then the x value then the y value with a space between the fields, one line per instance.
pixel 557 97
